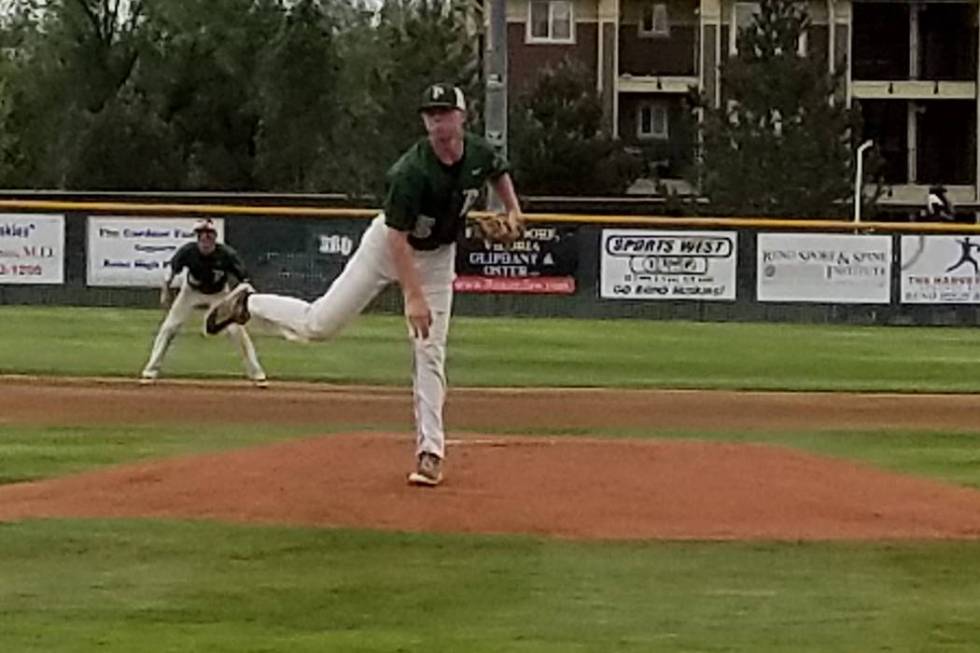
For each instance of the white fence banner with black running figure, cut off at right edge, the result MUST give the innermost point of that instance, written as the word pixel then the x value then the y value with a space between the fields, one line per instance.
pixel 940 269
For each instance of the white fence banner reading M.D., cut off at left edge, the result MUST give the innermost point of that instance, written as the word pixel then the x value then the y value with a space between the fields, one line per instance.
pixel 32 248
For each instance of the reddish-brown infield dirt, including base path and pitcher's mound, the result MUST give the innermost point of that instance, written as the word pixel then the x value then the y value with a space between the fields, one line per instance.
pixel 569 487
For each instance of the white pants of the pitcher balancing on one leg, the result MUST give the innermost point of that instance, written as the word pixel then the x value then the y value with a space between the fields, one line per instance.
pixel 367 273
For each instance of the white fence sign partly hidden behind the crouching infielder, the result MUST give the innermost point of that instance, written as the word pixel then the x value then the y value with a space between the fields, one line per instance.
pixel 136 251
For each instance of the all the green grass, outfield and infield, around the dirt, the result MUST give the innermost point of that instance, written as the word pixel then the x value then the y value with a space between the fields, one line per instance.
pixel 169 586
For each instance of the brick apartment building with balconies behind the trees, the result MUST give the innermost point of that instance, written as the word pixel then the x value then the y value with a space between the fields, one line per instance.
pixel 912 66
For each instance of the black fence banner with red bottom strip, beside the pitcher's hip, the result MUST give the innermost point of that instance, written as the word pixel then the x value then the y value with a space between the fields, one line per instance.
pixel 542 262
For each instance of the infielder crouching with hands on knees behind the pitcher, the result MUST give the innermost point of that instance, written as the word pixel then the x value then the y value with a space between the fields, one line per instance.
pixel 210 266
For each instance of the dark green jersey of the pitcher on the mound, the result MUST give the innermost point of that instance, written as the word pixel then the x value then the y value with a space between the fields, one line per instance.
pixel 429 199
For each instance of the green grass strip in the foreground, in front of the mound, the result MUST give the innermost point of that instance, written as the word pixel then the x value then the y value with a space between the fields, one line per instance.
pixel 165 586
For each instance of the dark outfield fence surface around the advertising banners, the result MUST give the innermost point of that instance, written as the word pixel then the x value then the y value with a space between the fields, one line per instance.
pixel 300 254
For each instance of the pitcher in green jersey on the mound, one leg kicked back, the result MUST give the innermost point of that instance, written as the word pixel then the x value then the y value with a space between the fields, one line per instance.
pixel 430 189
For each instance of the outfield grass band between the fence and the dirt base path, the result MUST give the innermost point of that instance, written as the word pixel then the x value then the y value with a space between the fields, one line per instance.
pixel 520 352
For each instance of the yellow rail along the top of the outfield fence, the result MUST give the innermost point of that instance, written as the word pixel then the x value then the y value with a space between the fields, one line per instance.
pixel 607 220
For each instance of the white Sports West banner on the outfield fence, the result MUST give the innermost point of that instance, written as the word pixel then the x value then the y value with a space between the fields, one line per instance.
pixel 640 264
